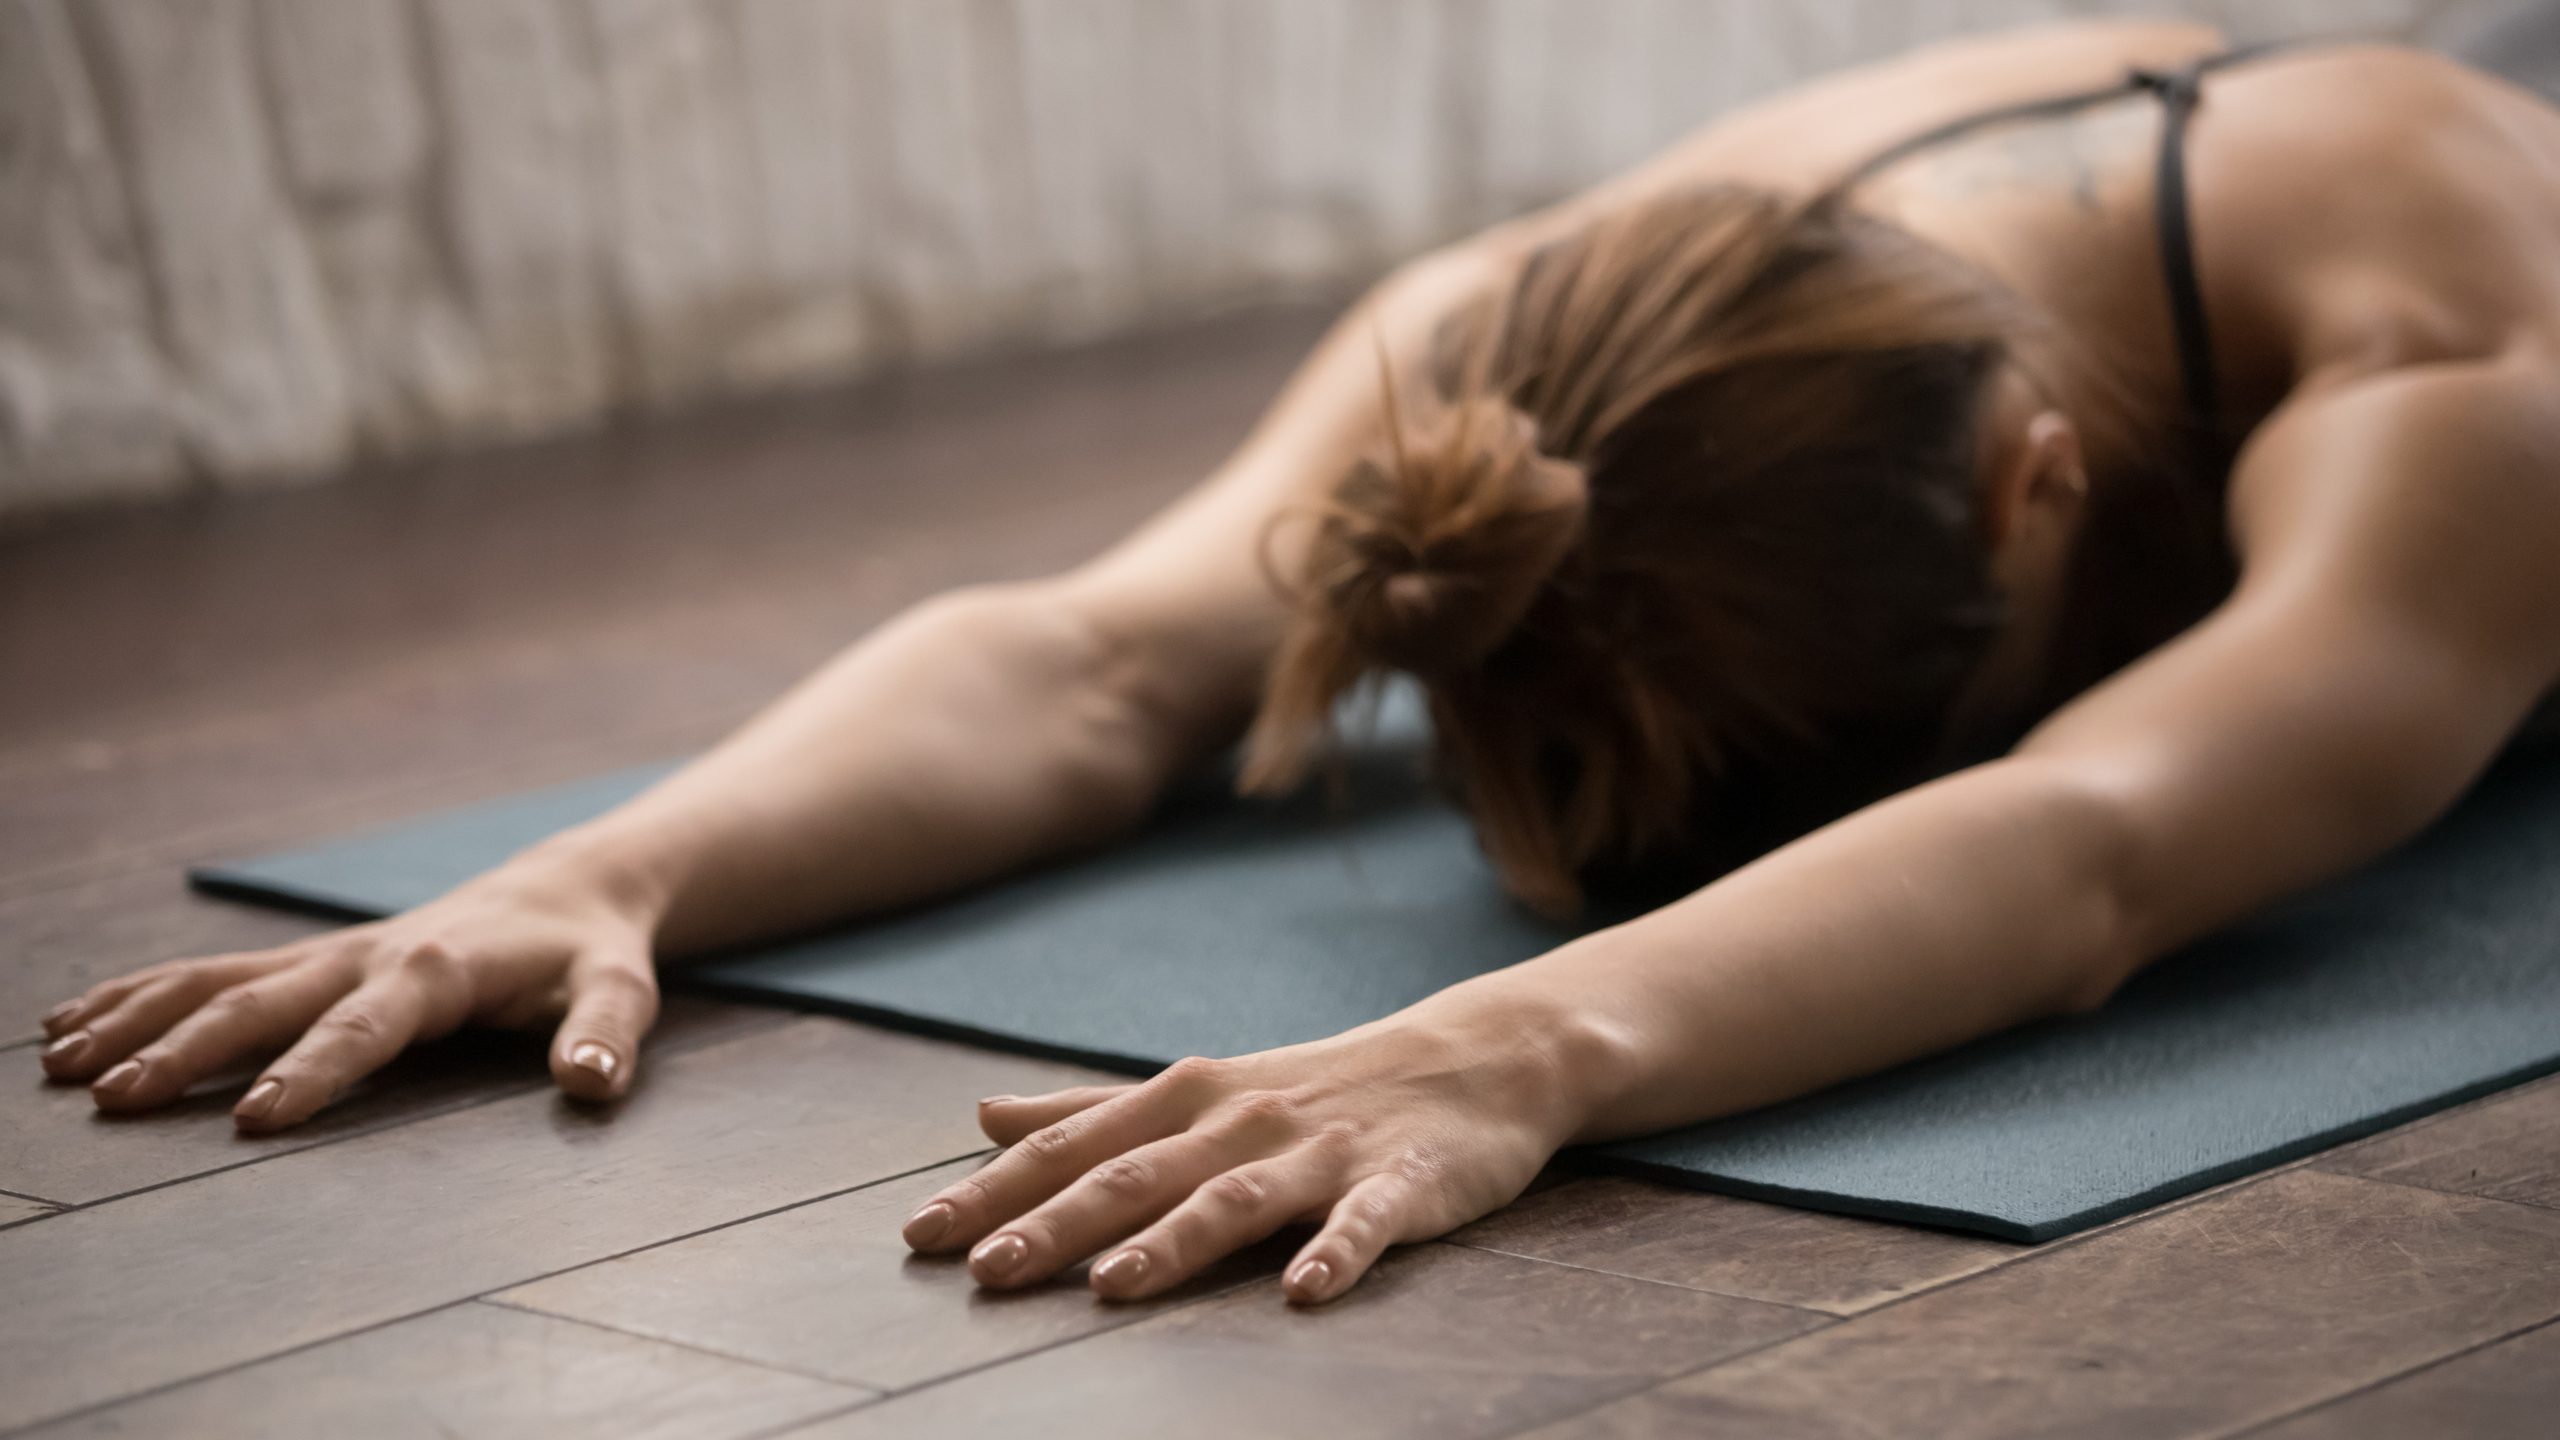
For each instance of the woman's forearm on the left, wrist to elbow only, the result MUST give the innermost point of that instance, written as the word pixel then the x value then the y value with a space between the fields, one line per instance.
pixel 959 742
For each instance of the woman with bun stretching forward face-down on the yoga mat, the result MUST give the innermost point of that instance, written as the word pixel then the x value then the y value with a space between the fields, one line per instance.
pixel 2090 521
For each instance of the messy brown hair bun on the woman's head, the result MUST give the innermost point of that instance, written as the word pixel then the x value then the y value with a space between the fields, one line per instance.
pixel 1437 552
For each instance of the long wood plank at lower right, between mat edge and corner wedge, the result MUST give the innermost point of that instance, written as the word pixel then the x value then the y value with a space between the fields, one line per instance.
pixel 2198 1321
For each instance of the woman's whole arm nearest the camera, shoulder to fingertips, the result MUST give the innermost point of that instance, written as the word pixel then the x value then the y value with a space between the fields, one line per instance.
pixel 2397 619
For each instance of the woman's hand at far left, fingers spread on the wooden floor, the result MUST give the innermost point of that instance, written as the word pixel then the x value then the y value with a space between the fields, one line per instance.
pixel 529 942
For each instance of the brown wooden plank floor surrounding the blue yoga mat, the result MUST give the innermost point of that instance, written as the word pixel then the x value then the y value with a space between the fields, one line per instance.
pixel 457 1252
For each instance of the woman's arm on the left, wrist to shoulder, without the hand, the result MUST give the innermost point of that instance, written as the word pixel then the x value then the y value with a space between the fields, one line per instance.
pixel 1010 724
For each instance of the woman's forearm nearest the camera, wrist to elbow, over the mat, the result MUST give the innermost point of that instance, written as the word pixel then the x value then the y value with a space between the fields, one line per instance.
pixel 1939 916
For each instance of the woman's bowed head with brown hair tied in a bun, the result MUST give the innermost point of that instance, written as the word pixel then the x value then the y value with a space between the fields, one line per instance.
pixel 1688 537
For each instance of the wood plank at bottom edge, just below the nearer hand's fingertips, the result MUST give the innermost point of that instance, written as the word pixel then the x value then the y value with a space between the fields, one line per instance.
pixel 1437 1344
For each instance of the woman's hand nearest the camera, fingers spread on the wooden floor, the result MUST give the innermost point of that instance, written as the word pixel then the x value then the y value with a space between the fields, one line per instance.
pixel 1396 1131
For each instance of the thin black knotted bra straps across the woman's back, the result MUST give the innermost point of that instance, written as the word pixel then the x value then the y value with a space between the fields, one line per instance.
pixel 2180 94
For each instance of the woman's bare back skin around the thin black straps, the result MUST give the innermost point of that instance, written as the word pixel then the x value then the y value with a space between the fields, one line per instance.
pixel 2354 206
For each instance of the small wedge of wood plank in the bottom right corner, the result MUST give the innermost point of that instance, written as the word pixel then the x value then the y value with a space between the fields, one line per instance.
pixel 2500 1393
